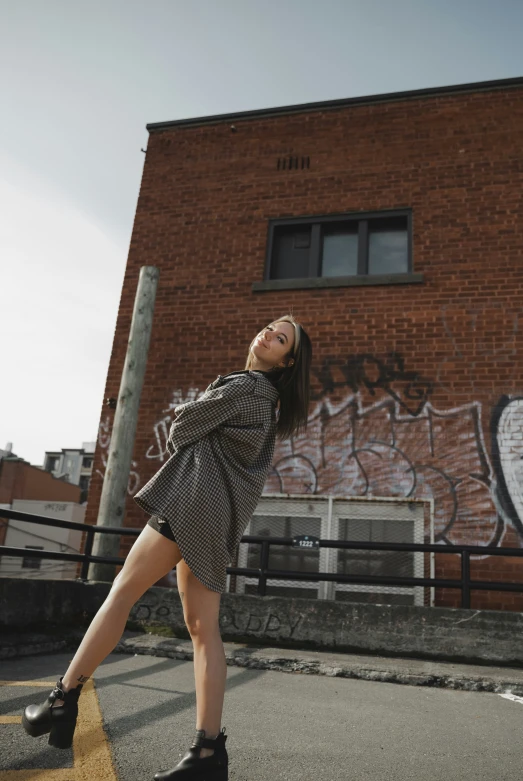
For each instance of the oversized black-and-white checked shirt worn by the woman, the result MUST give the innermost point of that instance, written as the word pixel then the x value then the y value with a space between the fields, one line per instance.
pixel 220 452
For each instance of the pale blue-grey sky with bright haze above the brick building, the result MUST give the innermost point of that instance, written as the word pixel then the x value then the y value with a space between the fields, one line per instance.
pixel 80 80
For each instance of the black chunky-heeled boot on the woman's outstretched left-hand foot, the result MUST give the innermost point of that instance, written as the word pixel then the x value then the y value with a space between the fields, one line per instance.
pixel 60 721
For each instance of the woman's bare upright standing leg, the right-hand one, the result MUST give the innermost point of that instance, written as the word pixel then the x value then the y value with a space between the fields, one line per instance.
pixel 201 608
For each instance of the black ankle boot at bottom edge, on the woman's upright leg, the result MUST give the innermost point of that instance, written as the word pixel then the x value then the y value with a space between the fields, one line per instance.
pixel 193 768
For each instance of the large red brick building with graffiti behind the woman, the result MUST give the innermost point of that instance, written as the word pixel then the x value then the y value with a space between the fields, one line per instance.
pixel 392 227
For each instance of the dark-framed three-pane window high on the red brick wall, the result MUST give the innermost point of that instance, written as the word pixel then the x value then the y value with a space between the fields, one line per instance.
pixel 366 245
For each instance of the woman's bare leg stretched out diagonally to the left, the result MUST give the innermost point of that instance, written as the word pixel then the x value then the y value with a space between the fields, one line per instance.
pixel 151 557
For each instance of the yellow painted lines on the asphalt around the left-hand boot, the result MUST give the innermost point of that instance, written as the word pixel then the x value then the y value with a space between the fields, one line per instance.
pixel 92 755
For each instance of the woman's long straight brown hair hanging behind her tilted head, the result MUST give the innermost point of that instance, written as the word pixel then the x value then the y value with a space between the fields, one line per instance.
pixel 292 382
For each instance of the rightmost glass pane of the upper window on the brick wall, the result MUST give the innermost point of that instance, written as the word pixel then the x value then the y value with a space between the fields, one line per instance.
pixel 388 247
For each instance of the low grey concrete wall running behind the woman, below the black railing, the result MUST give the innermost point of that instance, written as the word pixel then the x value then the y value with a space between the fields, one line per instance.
pixel 489 636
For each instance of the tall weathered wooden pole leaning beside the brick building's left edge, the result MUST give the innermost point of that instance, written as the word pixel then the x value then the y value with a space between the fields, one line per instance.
pixel 114 490
